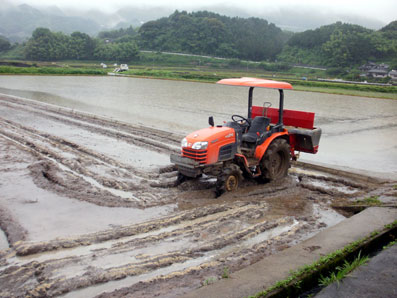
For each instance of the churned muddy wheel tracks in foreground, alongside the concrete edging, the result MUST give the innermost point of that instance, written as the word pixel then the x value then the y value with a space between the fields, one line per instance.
pixel 207 220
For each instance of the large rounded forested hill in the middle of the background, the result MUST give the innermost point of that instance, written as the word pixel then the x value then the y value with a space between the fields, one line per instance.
pixel 208 33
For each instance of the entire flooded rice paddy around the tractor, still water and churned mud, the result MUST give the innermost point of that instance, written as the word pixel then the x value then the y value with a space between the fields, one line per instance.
pixel 90 205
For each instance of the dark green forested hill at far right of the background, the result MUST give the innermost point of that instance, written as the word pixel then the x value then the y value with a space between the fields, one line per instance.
pixel 341 45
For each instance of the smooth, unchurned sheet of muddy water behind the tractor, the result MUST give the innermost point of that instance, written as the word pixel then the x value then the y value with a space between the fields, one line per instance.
pixel 356 131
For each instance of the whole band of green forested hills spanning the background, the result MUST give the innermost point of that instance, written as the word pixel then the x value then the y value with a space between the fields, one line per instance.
pixel 338 45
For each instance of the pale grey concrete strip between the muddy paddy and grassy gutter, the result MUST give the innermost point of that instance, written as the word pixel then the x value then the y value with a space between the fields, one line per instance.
pixel 268 271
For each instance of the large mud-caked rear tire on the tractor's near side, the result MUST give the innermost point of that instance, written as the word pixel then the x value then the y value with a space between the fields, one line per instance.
pixel 276 161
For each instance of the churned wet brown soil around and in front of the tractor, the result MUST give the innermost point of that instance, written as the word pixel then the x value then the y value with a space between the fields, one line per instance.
pixel 90 207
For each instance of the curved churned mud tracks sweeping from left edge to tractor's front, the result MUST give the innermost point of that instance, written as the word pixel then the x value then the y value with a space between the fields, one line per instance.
pixel 124 177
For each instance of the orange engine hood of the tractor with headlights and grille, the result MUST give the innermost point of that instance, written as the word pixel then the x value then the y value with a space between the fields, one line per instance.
pixel 210 145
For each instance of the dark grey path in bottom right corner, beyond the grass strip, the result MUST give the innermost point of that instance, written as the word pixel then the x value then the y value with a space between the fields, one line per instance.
pixel 378 278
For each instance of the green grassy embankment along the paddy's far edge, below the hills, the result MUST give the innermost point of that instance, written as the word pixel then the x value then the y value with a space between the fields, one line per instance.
pixel 201 69
